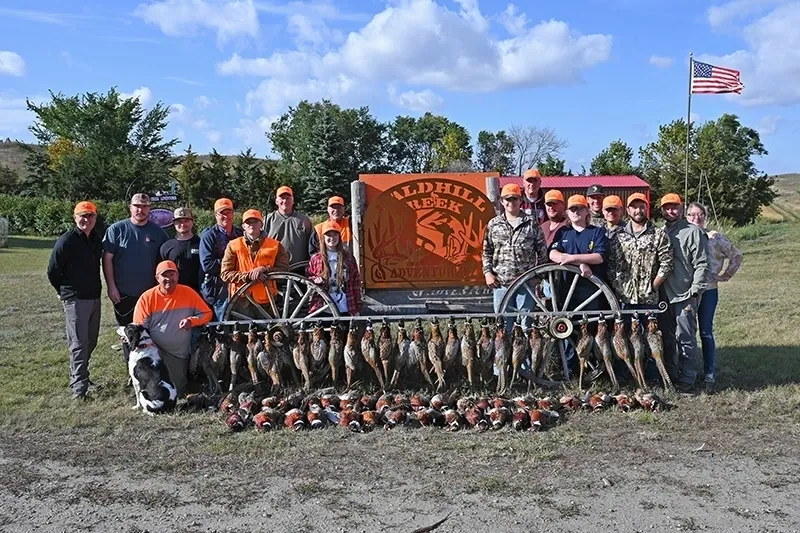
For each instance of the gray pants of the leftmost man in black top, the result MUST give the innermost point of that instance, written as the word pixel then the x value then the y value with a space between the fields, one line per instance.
pixel 83 325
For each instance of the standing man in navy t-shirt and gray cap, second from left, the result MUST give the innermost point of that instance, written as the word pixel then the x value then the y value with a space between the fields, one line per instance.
pixel 131 249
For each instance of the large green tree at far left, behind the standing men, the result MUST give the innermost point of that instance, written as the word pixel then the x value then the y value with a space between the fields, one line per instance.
pixel 97 146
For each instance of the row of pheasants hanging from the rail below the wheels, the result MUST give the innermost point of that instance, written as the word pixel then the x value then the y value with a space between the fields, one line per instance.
pixel 482 358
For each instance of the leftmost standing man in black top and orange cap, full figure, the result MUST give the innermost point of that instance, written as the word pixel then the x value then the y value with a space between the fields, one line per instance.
pixel 74 272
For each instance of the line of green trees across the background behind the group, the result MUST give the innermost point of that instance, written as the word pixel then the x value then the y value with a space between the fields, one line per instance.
pixel 105 147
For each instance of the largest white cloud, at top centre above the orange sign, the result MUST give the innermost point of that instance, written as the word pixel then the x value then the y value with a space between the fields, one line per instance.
pixel 423 44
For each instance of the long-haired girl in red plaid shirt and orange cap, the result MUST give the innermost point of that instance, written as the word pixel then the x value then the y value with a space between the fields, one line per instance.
pixel 334 269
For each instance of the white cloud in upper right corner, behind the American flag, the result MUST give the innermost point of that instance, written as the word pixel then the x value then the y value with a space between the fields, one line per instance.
pixel 770 66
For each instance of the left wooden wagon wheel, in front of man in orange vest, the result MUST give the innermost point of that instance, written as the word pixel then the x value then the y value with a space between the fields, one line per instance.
pixel 290 304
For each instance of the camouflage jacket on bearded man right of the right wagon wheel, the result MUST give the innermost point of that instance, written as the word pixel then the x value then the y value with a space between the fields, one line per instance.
pixel 634 262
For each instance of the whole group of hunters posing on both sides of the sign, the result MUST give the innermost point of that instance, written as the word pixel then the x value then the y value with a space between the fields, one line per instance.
pixel 172 286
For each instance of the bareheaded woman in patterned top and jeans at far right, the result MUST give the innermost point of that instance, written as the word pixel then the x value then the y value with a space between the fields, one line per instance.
pixel 719 249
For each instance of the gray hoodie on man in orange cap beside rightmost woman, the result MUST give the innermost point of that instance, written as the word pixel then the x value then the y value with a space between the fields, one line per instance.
pixel 690 274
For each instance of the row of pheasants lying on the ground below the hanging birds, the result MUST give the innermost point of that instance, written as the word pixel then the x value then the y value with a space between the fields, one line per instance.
pixel 363 413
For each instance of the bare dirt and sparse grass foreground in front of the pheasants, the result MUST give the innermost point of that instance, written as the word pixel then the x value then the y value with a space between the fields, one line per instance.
pixel 697 467
